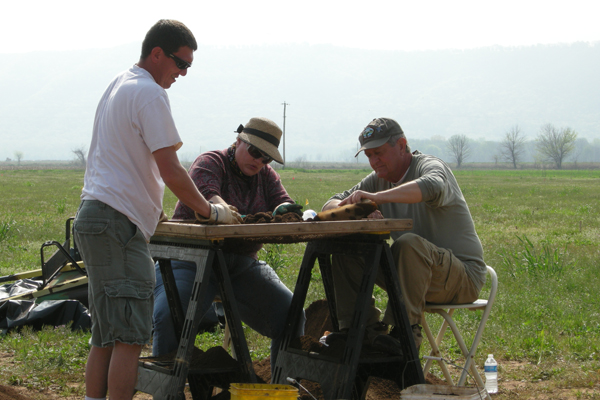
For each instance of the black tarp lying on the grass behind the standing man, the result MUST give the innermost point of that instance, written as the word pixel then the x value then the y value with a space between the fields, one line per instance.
pixel 18 313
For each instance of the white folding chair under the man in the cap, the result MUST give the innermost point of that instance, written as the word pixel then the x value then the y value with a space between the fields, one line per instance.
pixel 480 304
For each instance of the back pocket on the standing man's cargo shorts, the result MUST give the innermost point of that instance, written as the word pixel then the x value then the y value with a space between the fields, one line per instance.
pixel 92 240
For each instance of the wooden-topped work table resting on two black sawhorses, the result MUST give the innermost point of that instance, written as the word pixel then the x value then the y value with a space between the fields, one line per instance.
pixel 202 244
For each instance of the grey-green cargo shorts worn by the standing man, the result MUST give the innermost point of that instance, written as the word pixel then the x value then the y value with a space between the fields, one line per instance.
pixel 120 274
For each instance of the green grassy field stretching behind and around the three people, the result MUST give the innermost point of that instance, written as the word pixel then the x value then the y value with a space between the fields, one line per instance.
pixel 540 231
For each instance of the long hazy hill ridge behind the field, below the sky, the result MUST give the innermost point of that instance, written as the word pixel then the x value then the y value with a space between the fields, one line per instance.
pixel 48 99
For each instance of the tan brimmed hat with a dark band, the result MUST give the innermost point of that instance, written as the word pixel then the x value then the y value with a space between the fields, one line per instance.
pixel 264 134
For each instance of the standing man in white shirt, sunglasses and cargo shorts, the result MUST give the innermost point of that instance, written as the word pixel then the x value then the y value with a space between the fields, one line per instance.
pixel 132 156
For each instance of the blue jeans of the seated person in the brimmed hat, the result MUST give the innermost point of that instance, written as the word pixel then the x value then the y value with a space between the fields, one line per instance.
pixel 262 299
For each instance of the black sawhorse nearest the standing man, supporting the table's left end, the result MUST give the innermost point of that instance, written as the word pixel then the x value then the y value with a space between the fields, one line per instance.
pixel 168 381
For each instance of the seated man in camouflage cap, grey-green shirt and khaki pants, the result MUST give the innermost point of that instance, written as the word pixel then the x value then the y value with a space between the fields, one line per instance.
pixel 439 261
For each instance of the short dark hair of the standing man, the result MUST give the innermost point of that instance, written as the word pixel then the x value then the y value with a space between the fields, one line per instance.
pixel 169 35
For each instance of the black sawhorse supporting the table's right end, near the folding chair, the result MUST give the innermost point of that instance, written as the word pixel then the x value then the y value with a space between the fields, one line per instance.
pixel 347 377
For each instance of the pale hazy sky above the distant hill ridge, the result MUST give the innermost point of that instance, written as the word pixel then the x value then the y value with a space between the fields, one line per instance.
pixel 392 24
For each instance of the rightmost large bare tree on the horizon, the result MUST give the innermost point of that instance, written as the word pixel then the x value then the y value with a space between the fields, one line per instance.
pixel 555 144
